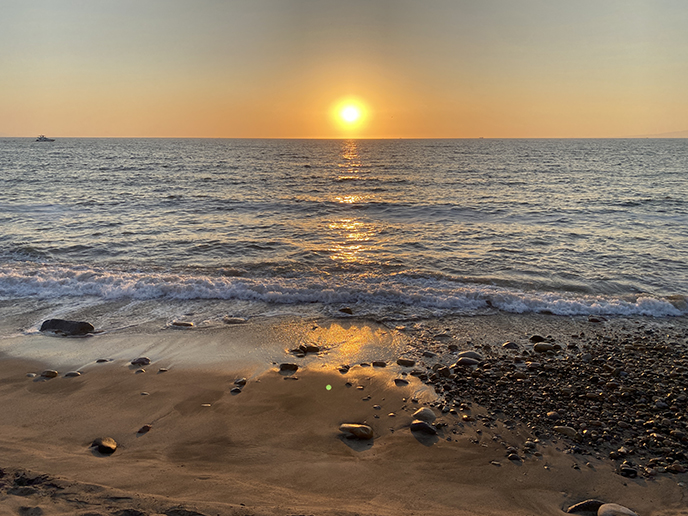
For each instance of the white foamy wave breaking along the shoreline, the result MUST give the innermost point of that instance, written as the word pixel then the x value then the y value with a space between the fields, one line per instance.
pixel 377 295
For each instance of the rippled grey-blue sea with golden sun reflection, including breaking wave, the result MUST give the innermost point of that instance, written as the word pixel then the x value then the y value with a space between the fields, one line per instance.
pixel 390 228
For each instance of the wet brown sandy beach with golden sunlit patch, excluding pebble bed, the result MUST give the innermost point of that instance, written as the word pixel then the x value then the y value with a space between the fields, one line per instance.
pixel 273 446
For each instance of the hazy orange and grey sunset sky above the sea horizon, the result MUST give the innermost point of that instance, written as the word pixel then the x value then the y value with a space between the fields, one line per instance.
pixel 282 68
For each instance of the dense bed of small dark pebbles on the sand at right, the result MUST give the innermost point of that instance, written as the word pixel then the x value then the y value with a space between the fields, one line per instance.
pixel 618 391
